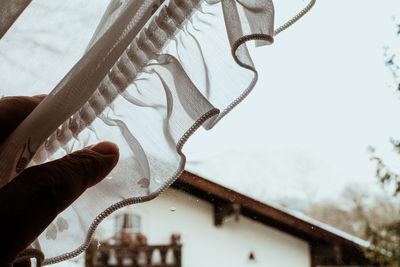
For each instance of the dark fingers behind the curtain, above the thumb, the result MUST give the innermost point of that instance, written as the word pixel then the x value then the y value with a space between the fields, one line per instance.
pixel 13 110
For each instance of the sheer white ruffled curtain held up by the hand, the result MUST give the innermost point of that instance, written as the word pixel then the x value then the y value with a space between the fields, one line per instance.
pixel 153 73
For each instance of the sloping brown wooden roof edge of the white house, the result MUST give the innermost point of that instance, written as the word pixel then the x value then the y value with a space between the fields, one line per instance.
pixel 305 228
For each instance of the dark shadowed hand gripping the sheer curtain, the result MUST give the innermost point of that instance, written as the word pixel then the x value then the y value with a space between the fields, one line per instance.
pixel 32 200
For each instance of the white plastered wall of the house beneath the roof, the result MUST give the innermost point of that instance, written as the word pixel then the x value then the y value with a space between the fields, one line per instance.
pixel 207 245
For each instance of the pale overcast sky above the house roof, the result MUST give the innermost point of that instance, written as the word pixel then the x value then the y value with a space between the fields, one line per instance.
pixel 323 96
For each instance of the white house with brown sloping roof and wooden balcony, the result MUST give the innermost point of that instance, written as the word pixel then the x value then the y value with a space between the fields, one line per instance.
pixel 200 223
